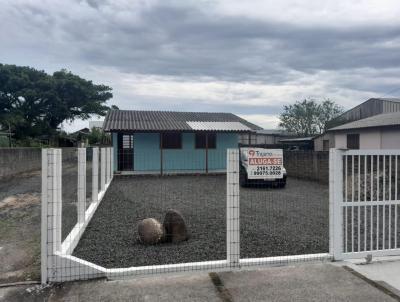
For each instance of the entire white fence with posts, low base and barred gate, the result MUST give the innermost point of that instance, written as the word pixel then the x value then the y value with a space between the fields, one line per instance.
pixel 363 208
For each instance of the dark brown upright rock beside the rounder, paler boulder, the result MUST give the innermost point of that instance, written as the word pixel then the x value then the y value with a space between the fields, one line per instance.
pixel 175 227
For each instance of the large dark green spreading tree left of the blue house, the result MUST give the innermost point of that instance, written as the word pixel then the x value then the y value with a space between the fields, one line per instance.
pixel 34 103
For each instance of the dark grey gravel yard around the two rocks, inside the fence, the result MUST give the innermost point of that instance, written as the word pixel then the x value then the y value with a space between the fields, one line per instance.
pixel 274 222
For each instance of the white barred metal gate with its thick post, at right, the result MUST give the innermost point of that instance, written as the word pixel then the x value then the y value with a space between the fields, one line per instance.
pixel 364 203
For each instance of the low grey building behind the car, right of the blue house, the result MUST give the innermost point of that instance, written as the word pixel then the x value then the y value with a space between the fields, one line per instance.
pixel 266 137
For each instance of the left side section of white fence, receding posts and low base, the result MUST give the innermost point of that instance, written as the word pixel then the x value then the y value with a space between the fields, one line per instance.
pixel 57 262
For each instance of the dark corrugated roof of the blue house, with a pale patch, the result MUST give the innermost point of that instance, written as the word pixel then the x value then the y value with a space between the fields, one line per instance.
pixel 135 120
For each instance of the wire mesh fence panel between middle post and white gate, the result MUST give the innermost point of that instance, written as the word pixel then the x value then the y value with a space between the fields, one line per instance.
pixel 285 219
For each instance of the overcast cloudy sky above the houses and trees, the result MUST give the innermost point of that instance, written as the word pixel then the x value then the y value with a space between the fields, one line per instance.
pixel 245 57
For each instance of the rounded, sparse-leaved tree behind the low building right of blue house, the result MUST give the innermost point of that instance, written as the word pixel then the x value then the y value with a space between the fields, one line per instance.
pixel 307 117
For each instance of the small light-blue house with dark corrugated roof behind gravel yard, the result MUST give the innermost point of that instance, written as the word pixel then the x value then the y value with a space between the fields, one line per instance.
pixel 172 142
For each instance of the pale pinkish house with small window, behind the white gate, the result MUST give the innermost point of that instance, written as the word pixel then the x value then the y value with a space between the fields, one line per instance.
pixel 381 131
